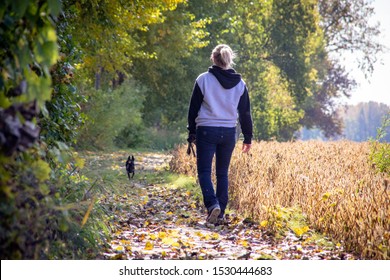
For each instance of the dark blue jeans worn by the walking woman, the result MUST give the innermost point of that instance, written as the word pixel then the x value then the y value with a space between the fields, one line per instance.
pixel 218 141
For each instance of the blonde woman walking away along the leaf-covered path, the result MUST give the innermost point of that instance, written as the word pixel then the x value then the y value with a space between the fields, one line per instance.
pixel 219 97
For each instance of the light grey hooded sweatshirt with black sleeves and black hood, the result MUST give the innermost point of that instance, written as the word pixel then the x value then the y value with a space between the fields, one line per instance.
pixel 219 98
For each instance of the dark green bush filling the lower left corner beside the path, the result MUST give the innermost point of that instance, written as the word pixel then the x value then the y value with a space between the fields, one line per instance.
pixel 43 209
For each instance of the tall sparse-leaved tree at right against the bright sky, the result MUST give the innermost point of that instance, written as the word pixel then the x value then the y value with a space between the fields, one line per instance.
pixel 347 28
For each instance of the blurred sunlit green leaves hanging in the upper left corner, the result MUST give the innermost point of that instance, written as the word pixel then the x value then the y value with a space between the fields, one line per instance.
pixel 27 38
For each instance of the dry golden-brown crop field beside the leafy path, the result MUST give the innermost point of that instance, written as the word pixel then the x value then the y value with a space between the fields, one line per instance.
pixel 333 183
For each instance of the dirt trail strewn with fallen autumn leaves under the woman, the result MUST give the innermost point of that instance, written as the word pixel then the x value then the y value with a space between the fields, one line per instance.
pixel 159 221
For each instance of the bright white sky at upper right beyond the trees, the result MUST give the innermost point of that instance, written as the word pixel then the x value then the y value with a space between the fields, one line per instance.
pixel 378 88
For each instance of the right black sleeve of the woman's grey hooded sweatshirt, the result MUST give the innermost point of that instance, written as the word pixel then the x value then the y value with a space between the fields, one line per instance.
pixel 245 117
